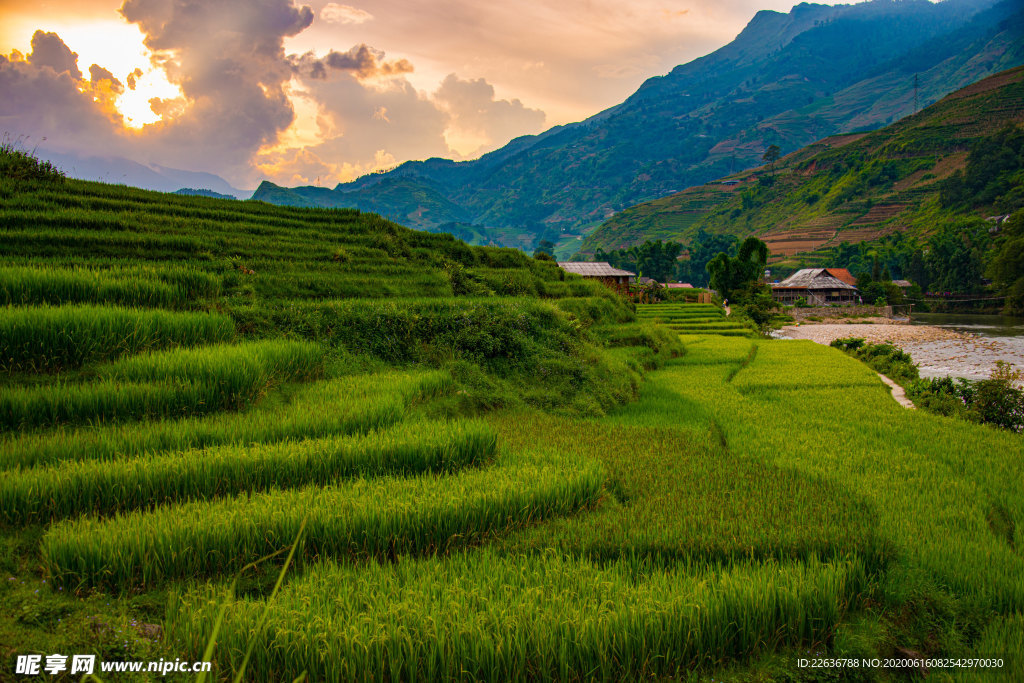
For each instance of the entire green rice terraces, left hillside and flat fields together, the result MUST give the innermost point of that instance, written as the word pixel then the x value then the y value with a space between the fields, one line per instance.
pixel 305 443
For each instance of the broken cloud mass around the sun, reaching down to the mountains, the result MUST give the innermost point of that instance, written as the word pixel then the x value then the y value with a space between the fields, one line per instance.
pixel 246 109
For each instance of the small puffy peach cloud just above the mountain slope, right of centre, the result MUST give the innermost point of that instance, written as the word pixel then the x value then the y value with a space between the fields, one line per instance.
pixel 478 121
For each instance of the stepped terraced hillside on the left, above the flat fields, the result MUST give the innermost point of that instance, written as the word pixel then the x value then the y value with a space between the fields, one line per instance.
pixel 223 373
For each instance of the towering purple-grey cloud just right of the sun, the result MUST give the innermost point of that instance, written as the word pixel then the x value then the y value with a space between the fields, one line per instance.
pixel 229 60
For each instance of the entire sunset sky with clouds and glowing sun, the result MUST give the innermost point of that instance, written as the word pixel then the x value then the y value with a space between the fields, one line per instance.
pixel 322 93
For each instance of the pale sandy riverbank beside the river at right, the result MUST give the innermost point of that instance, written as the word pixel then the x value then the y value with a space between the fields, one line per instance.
pixel 938 353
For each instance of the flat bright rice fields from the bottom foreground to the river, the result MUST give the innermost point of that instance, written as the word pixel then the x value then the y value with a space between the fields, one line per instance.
pixel 763 501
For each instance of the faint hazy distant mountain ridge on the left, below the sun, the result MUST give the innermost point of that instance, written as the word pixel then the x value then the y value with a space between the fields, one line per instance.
pixel 124 172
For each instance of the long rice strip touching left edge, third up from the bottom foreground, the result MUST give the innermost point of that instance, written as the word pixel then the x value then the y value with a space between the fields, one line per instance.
pixel 42 495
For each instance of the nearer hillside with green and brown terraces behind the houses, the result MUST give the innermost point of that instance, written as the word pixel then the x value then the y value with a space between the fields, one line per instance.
pixel 849 188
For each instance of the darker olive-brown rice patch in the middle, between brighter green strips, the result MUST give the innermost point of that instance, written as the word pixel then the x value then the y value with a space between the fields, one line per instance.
pixel 678 496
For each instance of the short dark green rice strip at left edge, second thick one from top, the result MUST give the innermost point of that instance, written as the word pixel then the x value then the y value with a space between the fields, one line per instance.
pixel 54 338
